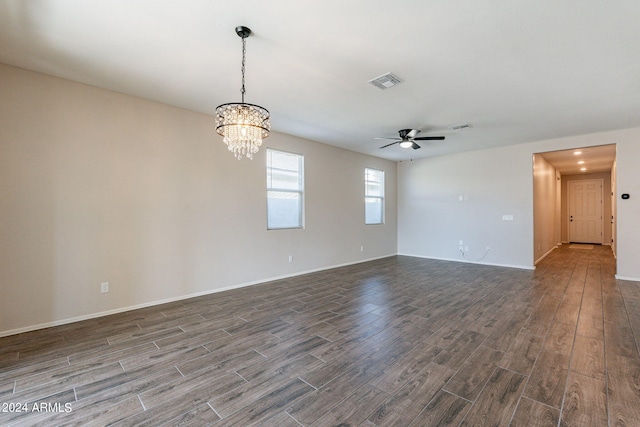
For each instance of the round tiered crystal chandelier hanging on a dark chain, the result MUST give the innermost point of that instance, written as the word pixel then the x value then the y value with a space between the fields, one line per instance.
pixel 242 126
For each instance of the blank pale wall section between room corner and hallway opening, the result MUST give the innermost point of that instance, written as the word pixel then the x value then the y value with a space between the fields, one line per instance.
pixel 495 182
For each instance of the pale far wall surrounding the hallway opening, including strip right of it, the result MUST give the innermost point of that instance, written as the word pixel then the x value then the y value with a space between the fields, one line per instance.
pixel 499 181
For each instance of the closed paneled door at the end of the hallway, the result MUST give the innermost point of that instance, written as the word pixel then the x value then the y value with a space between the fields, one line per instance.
pixel 585 211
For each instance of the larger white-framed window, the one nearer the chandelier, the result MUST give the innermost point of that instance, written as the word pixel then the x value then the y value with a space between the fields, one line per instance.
pixel 285 190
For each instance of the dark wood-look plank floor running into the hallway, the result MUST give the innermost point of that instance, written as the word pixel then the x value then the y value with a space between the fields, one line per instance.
pixel 399 341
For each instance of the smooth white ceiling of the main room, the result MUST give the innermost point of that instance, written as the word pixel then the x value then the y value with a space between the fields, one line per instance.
pixel 518 71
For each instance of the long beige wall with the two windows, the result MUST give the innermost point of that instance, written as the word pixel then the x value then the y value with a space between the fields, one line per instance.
pixel 96 186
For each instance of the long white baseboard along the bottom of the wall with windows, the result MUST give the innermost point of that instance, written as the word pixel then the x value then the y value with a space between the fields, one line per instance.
pixel 174 299
